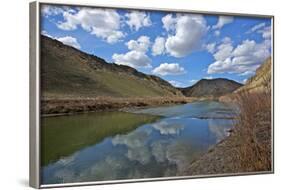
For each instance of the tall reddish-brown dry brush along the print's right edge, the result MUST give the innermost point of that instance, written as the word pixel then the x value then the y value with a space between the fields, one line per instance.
pixel 254 131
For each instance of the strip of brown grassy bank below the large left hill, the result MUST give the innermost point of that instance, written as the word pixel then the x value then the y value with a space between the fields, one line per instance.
pixel 51 107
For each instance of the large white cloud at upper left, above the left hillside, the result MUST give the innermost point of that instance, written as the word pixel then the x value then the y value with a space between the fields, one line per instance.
pixel 103 23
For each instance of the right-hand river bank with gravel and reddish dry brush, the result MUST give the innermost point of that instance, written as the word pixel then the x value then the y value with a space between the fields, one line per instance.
pixel 248 148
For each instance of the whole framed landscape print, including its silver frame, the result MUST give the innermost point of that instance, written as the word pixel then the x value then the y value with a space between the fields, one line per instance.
pixel 131 94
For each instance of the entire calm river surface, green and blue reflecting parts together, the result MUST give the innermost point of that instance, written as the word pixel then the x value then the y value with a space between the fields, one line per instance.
pixel 146 147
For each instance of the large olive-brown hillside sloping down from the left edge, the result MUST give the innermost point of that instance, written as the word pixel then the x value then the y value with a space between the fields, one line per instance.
pixel 69 73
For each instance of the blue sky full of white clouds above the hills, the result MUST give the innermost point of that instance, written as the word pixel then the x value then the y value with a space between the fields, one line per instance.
pixel 181 48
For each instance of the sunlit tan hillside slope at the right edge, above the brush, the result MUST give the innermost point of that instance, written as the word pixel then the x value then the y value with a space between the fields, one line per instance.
pixel 261 80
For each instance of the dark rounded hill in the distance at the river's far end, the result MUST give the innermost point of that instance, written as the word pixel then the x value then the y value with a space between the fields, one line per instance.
pixel 211 87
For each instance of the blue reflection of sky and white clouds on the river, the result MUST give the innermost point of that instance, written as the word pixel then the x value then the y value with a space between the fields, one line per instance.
pixel 159 149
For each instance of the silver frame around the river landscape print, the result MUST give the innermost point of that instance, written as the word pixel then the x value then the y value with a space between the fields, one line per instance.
pixel 34 120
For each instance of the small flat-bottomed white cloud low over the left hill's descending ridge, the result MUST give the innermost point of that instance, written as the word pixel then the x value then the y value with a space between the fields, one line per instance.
pixel 168 69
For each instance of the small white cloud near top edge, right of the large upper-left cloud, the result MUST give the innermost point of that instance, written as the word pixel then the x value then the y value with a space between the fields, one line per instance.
pixel 137 19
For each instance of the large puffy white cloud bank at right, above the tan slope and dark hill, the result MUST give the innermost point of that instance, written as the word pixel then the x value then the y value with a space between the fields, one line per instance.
pixel 244 59
